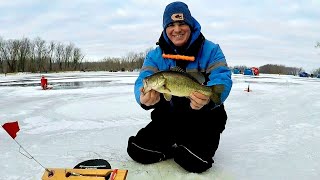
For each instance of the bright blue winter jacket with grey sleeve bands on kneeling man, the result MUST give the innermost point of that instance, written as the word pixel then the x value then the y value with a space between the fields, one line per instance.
pixel 210 60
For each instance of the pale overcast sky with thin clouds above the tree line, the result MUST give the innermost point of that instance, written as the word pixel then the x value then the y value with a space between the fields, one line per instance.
pixel 251 33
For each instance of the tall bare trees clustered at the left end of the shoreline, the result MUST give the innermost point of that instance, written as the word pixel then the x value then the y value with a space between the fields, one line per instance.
pixel 37 55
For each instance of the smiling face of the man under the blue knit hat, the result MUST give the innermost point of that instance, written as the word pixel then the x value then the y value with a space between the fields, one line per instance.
pixel 178 33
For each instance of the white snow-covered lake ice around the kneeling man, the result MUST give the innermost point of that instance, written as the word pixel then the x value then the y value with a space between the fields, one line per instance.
pixel 272 132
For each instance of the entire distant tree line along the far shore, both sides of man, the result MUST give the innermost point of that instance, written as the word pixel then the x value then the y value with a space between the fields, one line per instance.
pixel 37 55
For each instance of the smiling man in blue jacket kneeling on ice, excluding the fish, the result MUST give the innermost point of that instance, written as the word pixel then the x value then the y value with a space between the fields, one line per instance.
pixel 186 129
